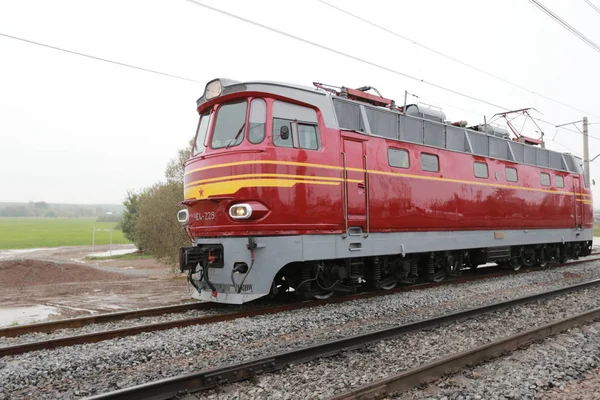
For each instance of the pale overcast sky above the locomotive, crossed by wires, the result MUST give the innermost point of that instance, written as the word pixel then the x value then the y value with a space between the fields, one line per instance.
pixel 83 131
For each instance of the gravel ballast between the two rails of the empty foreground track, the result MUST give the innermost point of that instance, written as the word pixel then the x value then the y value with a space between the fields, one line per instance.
pixel 327 377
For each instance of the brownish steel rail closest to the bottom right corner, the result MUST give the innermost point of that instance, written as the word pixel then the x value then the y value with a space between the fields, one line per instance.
pixel 450 365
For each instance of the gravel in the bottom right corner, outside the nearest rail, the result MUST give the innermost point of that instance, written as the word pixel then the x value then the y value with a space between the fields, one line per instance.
pixel 561 367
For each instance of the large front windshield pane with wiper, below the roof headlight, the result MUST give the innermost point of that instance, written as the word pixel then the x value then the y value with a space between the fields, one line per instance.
pixel 229 127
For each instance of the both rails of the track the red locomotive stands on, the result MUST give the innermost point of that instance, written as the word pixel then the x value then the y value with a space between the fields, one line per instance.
pixel 95 337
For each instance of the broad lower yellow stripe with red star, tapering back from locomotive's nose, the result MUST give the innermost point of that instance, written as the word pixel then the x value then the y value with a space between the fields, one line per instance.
pixel 230 187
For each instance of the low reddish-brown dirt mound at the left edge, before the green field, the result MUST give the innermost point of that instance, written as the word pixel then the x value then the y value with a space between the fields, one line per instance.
pixel 35 272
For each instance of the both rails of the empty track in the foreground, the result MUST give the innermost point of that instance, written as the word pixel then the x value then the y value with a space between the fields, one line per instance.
pixel 204 380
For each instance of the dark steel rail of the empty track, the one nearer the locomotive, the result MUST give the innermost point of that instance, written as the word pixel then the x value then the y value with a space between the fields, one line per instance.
pixel 207 379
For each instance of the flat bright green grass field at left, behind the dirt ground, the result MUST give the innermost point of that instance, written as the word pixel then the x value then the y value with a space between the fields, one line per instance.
pixel 23 233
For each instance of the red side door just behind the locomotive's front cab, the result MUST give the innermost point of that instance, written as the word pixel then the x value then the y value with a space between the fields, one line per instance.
pixel 355 183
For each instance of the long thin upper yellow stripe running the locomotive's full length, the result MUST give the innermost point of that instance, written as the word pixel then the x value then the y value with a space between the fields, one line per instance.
pixel 424 177
